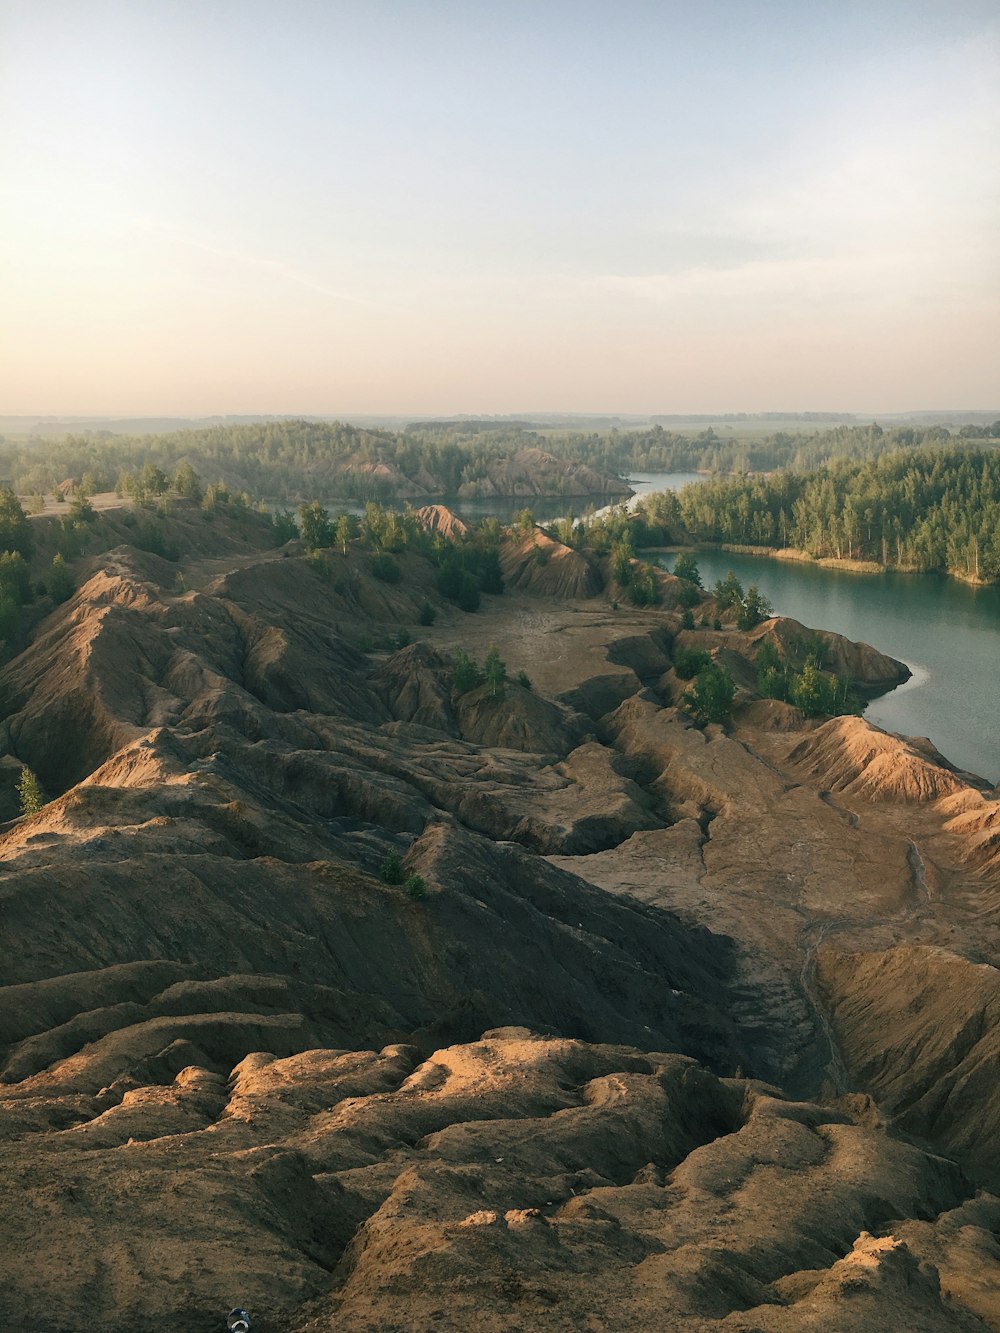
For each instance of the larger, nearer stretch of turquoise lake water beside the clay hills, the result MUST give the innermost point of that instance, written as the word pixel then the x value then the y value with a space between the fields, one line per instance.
pixel 947 633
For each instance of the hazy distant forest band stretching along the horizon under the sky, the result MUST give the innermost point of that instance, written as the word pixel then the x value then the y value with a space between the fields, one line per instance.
pixel 293 461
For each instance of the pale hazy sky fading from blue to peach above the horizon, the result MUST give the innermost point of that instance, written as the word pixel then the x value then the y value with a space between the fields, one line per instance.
pixel 451 206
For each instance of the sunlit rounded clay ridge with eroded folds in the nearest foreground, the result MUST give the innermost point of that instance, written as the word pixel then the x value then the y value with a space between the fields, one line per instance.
pixel 515 1182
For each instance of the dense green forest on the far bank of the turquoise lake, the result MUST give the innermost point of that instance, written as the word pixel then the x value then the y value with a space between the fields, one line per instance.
pixel 926 510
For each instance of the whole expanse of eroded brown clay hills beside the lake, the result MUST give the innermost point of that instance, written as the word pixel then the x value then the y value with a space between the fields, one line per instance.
pixel 678 1028
